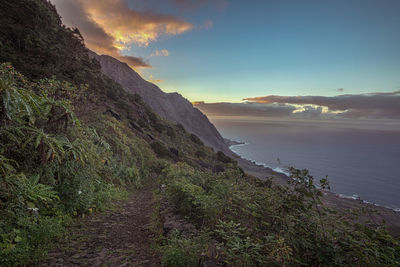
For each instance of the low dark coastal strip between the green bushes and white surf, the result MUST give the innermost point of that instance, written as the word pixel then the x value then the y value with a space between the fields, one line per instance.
pixel 378 215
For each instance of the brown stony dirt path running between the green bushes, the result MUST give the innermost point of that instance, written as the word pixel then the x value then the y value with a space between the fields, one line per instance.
pixel 116 238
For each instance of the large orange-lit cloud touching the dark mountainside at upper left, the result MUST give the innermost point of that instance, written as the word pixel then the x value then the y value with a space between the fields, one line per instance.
pixel 110 26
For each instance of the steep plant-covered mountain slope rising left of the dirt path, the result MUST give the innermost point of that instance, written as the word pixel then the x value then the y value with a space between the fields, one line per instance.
pixel 71 138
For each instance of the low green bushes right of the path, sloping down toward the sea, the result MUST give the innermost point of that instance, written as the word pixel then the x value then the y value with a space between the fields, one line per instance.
pixel 261 224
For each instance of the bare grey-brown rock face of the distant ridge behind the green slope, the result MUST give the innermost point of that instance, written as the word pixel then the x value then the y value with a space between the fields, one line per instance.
pixel 171 106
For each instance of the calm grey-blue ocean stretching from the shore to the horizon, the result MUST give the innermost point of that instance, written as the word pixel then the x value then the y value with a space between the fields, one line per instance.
pixel 361 161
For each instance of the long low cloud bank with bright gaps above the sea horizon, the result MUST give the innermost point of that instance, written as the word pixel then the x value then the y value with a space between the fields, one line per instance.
pixel 359 106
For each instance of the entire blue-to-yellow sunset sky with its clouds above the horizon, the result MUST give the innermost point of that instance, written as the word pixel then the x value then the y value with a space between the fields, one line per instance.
pixel 299 56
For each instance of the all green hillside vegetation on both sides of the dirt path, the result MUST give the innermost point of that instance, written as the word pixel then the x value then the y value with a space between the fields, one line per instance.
pixel 72 141
